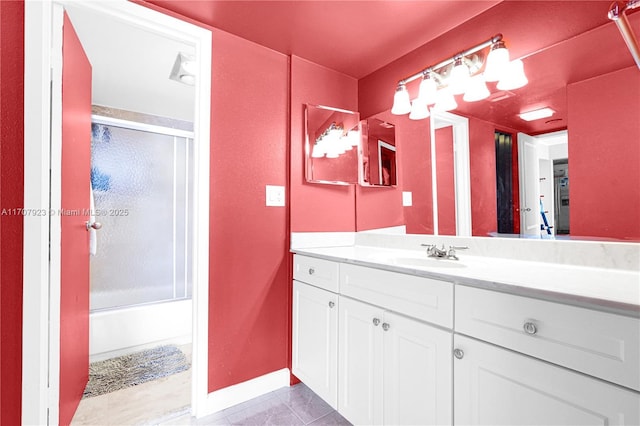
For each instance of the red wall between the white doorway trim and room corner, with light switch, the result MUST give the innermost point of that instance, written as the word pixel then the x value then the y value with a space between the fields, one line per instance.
pixel 249 263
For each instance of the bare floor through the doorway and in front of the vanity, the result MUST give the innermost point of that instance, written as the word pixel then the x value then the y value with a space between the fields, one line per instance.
pixel 166 401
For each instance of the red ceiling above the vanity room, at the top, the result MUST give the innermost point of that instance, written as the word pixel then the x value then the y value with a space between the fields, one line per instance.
pixel 353 37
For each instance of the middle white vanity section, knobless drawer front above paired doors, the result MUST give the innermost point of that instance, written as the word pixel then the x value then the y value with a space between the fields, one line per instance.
pixel 393 369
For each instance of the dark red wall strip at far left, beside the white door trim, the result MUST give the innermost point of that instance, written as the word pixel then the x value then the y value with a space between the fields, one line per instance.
pixel 11 196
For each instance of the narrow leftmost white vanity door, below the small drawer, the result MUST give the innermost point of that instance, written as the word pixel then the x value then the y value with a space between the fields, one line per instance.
pixel 315 340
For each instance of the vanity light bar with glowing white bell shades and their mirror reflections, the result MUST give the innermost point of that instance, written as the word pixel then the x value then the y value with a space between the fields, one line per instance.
pixel 460 75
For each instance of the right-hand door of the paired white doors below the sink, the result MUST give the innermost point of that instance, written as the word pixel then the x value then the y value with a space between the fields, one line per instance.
pixel 417 372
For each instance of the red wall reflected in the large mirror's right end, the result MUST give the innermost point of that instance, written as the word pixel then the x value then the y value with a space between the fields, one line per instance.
pixel 604 155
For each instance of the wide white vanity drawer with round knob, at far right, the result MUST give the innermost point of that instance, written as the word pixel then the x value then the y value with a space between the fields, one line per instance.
pixel 601 344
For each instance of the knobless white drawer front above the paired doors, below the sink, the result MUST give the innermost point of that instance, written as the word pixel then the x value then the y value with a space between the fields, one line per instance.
pixel 422 298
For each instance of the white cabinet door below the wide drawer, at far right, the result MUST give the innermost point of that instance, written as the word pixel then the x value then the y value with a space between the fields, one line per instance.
pixel 494 386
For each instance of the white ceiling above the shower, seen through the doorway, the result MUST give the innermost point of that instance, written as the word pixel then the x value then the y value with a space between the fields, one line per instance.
pixel 131 66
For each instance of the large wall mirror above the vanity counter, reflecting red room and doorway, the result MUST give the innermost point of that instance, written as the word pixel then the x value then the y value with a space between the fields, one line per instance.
pixel 546 195
